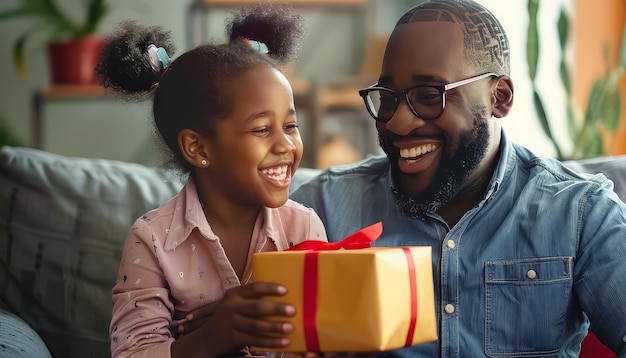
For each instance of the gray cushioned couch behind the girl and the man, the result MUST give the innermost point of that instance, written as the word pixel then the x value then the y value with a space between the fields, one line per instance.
pixel 63 221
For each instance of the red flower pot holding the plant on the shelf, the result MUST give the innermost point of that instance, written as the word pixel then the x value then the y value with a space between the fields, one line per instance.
pixel 74 61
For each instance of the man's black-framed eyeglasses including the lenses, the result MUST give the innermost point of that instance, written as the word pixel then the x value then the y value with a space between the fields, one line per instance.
pixel 425 101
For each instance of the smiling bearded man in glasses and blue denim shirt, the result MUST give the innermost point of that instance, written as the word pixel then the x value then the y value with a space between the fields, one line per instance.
pixel 525 252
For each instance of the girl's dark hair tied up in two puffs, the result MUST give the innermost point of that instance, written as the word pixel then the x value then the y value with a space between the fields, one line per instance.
pixel 192 93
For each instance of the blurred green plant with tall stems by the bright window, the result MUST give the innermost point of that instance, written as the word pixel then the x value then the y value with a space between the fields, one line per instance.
pixel 587 127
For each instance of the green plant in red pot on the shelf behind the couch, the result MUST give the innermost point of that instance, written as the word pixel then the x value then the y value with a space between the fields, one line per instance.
pixel 73 46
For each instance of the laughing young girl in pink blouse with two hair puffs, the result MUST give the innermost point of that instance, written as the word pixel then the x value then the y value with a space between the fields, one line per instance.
pixel 227 114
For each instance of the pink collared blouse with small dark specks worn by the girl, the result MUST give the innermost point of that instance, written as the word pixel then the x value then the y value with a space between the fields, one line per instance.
pixel 173 263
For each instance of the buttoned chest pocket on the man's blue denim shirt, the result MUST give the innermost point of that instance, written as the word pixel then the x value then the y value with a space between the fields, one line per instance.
pixel 525 304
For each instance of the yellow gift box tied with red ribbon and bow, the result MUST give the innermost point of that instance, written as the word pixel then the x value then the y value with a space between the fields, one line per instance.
pixel 350 297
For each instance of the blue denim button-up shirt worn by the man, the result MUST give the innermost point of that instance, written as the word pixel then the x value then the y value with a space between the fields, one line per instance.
pixel 521 274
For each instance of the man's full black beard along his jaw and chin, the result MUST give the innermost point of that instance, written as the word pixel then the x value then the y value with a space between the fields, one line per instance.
pixel 452 175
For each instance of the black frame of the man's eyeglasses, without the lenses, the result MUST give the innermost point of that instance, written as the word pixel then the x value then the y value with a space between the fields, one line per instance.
pixel 442 89
